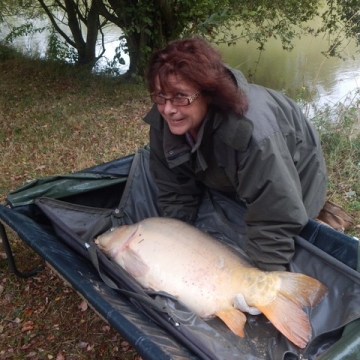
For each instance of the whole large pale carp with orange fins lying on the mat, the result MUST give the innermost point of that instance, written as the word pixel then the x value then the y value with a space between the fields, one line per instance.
pixel 210 278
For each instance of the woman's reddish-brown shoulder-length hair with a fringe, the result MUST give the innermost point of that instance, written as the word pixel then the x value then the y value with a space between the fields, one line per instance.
pixel 197 62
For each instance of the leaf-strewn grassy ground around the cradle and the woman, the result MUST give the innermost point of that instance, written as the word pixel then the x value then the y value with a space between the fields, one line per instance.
pixel 56 120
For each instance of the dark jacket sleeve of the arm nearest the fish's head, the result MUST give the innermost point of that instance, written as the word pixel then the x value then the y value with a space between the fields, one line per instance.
pixel 178 192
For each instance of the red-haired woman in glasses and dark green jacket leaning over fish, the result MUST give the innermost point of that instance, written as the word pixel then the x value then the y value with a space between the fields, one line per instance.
pixel 210 128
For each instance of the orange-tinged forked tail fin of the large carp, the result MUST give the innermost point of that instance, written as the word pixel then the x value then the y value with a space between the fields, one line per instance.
pixel 286 310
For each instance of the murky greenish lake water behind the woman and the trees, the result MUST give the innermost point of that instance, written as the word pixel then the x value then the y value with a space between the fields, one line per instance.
pixel 301 73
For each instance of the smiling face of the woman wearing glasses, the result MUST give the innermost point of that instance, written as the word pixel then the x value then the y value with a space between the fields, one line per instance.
pixel 181 119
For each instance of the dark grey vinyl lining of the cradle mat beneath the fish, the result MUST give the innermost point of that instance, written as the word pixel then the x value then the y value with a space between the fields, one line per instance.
pixel 77 223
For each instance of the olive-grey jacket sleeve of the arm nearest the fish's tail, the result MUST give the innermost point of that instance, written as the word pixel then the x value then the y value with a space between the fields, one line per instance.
pixel 269 184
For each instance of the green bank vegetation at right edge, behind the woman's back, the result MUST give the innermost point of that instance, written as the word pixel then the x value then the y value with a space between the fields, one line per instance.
pixel 340 138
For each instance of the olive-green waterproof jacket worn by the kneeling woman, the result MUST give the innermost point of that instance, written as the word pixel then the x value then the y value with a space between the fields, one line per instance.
pixel 271 159
